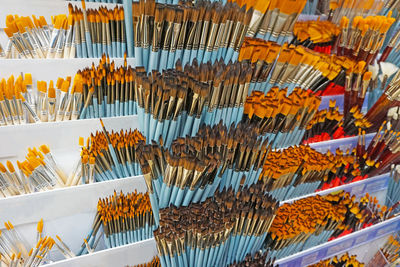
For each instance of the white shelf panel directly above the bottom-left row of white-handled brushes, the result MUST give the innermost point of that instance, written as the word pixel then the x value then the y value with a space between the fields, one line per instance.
pixel 67 212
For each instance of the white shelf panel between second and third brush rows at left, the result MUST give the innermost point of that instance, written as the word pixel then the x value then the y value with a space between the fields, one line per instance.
pixel 61 137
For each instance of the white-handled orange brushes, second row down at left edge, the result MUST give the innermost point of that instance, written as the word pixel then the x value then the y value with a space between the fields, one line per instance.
pixel 21 104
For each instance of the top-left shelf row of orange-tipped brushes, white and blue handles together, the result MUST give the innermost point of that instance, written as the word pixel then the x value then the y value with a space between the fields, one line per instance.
pixel 81 34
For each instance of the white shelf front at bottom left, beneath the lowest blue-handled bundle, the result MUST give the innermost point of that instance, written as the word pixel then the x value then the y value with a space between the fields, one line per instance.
pixel 128 255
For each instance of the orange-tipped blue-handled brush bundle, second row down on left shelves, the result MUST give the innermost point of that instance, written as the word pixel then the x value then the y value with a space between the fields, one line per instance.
pixel 107 91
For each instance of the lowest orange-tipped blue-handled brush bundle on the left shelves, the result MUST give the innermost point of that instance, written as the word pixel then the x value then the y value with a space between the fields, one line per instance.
pixel 122 219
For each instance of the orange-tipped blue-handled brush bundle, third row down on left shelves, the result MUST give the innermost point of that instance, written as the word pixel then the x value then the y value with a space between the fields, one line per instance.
pixel 108 156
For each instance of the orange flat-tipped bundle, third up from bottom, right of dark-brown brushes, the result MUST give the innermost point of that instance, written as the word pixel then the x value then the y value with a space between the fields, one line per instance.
pixel 281 118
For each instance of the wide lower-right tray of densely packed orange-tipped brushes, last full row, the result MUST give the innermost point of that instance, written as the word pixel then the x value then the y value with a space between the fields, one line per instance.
pixel 312 221
